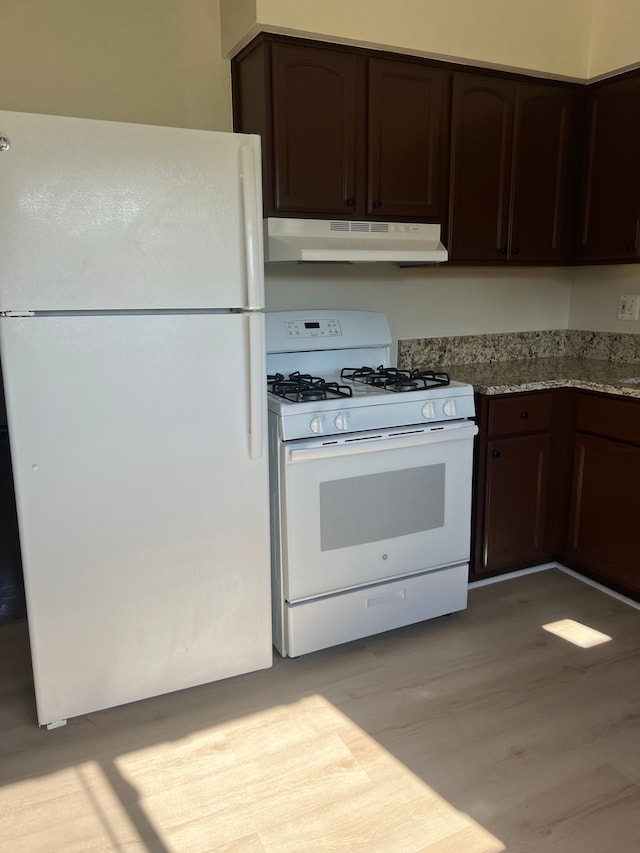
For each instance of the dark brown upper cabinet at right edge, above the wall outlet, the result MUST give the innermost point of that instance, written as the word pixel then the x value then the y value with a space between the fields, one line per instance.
pixel 609 221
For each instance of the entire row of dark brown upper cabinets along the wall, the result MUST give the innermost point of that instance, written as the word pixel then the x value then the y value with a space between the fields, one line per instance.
pixel 352 133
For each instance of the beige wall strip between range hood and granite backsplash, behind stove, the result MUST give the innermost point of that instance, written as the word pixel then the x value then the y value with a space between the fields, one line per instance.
pixel 428 301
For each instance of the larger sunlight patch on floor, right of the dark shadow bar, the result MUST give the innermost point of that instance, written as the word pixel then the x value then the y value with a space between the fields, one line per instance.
pixel 298 777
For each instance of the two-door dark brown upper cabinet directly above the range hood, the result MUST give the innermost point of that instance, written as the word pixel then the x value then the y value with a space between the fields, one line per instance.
pixel 345 134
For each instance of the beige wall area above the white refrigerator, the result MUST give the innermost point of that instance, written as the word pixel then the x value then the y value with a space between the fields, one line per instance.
pixel 149 61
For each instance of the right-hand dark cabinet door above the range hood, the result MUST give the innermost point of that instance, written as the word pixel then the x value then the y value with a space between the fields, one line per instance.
pixel 407 135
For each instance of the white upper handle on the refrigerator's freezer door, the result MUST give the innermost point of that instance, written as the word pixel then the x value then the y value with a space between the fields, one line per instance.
pixel 252 200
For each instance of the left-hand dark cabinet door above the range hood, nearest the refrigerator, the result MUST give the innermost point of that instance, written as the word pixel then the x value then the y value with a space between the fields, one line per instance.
pixel 318 105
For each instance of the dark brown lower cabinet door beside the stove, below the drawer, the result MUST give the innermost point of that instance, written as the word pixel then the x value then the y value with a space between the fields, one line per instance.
pixel 515 502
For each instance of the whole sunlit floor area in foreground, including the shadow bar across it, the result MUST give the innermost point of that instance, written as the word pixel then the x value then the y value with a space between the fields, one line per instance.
pixel 300 776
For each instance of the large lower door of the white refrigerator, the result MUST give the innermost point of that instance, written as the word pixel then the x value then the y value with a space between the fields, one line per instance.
pixel 143 518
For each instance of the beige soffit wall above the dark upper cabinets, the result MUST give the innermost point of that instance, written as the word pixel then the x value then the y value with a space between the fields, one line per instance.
pixel 540 36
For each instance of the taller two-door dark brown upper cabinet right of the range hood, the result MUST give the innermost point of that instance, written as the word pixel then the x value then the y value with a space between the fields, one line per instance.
pixel 512 170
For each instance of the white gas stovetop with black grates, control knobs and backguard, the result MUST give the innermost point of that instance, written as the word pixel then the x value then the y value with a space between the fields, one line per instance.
pixel 330 373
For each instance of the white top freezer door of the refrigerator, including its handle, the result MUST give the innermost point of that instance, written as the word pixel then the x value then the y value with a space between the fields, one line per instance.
pixel 100 215
